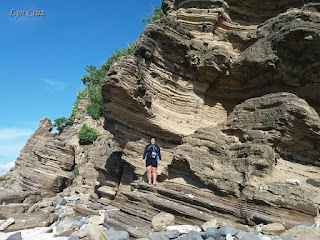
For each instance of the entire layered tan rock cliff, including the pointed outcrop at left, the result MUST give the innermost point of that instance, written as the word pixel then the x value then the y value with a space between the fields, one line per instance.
pixel 230 90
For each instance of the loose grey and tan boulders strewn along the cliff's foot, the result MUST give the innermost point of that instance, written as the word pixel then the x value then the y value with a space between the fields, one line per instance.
pixel 79 218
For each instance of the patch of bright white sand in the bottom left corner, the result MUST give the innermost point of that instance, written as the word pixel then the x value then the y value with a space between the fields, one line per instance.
pixel 39 233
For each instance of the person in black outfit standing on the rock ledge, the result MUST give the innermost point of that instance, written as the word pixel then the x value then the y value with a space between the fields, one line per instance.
pixel 151 155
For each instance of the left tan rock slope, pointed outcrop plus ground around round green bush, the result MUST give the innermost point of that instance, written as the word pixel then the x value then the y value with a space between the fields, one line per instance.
pixel 46 163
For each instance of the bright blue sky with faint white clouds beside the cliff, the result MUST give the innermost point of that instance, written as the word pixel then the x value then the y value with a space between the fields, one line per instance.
pixel 42 58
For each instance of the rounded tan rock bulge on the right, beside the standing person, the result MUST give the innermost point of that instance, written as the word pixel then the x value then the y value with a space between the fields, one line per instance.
pixel 238 155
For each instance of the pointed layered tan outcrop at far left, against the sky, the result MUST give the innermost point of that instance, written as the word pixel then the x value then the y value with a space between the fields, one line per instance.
pixel 43 162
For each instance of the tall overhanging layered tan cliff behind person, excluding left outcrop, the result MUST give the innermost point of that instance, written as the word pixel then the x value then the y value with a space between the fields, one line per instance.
pixel 231 96
